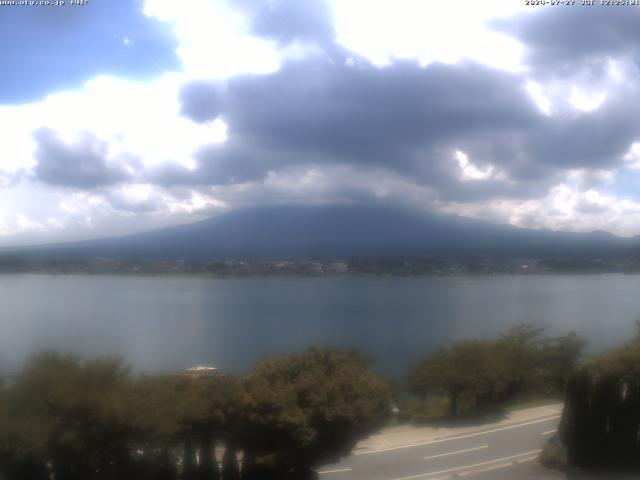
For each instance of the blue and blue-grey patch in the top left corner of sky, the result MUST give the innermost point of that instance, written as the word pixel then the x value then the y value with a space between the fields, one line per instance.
pixel 61 47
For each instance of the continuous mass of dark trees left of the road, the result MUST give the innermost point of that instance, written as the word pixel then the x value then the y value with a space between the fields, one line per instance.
pixel 95 420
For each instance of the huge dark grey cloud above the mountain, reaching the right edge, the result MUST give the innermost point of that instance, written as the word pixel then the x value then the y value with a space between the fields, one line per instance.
pixel 408 120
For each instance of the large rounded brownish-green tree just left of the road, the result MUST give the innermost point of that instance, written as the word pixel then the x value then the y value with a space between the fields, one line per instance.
pixel 304 409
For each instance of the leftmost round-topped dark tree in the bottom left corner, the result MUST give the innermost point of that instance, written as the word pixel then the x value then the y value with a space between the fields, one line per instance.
pixel 73 416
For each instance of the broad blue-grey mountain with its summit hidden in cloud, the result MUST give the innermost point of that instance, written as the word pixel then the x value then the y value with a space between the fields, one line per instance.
pixel 340 232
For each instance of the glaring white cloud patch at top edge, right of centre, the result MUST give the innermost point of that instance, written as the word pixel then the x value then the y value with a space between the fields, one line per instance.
pixel 444 31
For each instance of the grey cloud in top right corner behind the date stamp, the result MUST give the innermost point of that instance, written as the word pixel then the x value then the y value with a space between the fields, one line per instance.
pixel 561 41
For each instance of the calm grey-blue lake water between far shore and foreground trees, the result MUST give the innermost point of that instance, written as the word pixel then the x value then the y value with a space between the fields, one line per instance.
pixel 169 323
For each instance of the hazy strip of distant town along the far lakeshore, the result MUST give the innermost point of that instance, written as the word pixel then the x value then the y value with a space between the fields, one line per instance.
pixel 316 267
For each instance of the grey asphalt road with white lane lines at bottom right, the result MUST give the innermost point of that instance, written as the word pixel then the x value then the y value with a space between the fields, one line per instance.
pixel 493 449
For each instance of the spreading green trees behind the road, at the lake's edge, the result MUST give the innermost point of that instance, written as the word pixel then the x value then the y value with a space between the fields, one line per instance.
pixel 481 376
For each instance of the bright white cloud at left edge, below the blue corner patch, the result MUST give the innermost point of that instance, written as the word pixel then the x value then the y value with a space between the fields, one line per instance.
pixel 135 119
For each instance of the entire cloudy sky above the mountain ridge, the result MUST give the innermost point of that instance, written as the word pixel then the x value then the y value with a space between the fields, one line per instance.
pixel 119 116
